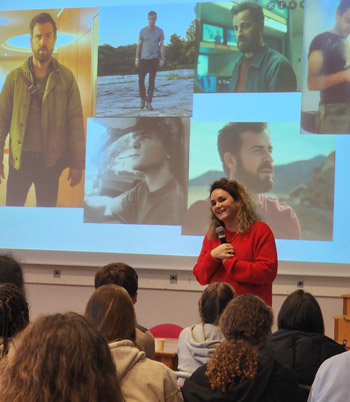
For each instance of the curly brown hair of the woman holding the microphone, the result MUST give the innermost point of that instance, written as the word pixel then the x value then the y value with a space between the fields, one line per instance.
pixel 246 213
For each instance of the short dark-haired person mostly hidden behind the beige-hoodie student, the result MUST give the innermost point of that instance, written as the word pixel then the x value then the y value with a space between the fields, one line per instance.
pixel 121 274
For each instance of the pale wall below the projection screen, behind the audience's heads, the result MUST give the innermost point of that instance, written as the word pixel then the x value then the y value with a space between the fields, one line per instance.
pixel 158 300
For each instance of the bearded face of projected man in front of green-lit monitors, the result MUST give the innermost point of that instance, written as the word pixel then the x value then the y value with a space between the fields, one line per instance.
pixel 248 33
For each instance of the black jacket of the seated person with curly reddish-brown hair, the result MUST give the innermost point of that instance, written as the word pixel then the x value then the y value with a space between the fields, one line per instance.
pixel 273 383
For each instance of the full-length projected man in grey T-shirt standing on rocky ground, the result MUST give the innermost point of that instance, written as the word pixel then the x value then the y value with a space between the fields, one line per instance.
pixel 149 47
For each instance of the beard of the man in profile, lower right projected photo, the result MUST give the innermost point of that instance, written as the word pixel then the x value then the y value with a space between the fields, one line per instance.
pixel 253 181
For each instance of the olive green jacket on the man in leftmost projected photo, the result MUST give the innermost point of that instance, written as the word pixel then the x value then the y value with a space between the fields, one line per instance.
pixel 61 117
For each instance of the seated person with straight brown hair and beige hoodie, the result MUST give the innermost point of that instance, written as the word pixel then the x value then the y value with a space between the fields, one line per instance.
pixel 111 310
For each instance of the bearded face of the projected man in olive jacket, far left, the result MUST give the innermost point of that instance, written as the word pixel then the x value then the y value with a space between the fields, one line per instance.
pixel 43 41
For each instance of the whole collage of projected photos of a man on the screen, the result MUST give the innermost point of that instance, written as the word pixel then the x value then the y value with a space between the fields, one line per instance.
pixel 153 80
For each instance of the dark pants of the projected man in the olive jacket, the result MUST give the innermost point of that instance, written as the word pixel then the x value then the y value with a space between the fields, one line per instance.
pixel 33 170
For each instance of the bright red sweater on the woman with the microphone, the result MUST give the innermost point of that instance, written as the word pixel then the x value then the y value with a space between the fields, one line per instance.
pixel 253 267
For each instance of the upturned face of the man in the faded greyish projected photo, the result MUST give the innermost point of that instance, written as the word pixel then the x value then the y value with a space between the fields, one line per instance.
pixel 148 152
